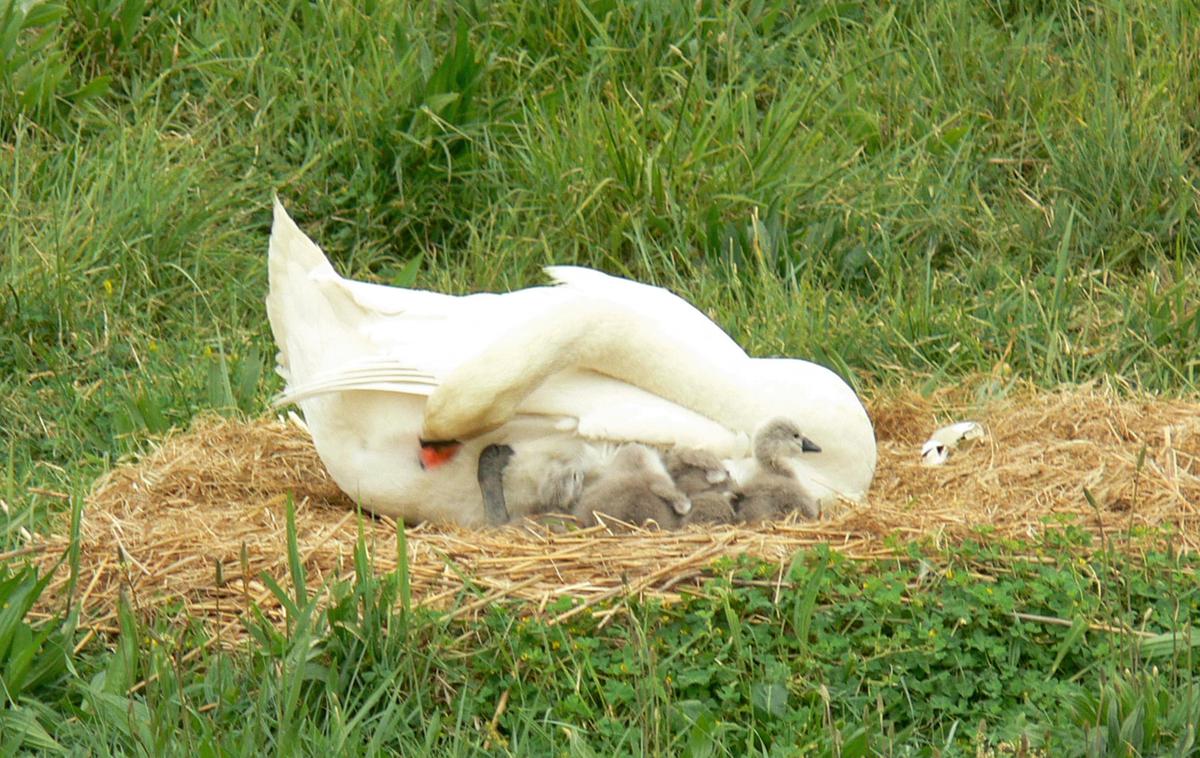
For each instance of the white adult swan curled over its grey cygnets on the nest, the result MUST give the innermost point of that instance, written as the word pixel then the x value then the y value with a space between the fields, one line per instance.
pixel 404 389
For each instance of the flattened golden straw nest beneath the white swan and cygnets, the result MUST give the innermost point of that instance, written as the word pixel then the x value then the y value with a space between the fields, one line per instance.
pixel 218 495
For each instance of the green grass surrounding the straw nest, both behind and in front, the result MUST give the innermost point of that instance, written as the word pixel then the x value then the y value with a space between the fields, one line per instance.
pixel 916 195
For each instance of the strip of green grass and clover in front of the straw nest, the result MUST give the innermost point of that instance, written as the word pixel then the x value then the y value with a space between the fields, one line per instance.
pixel 941 653
